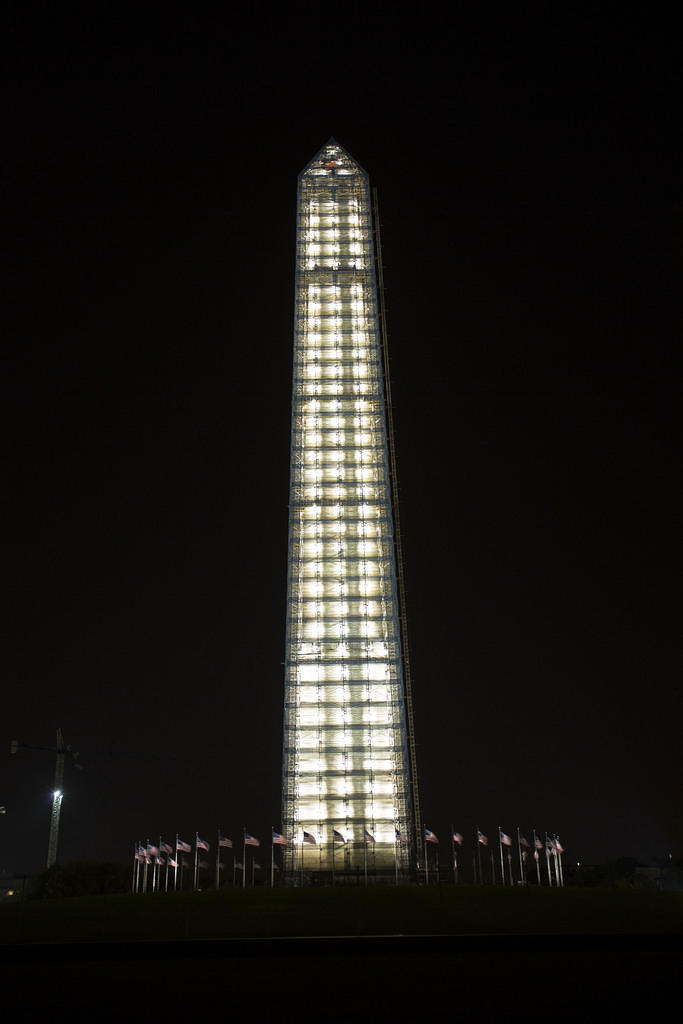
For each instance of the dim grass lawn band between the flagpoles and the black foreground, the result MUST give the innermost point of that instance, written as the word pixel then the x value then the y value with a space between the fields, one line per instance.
pixel 352 912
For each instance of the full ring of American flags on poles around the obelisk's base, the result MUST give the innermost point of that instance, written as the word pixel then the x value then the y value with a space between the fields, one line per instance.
pixel 169 856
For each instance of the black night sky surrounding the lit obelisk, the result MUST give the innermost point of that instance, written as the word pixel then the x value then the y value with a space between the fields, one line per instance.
pixel 530 185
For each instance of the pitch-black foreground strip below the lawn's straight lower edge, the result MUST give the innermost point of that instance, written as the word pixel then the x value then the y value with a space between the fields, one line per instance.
pixel 578 979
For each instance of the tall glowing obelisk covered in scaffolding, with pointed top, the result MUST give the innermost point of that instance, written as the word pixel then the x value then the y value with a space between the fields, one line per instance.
pixel 350 784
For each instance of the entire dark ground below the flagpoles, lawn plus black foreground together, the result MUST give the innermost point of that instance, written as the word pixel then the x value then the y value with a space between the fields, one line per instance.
pixel 492 955
